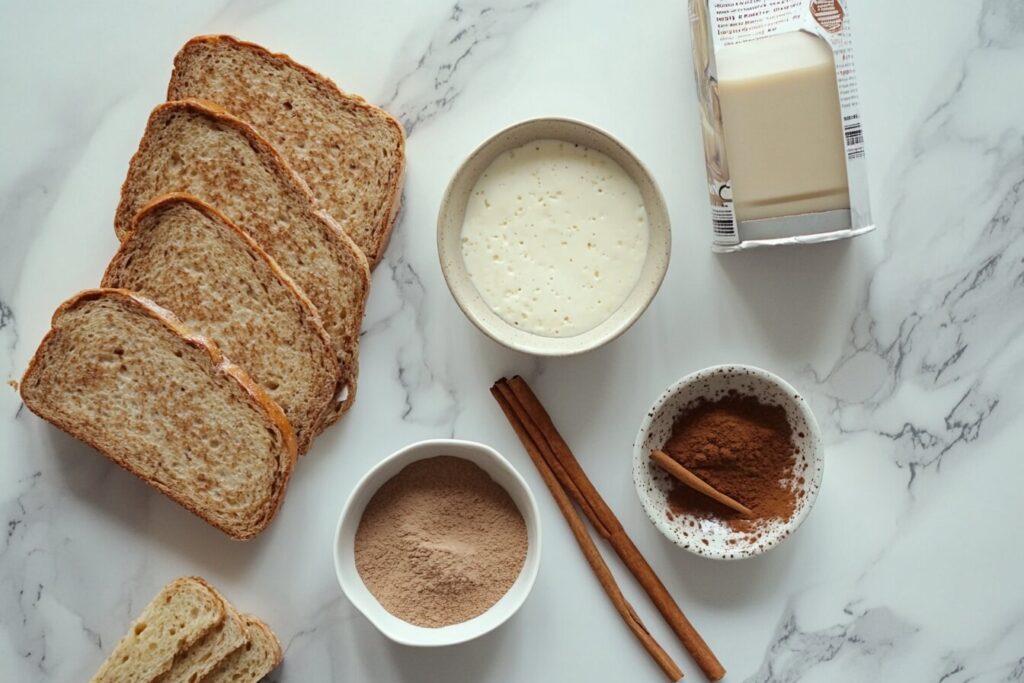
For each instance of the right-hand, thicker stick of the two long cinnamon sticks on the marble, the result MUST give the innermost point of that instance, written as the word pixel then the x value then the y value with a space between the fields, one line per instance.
pixel 565 466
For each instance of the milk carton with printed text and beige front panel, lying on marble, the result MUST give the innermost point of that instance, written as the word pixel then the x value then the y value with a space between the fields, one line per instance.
pixel 782 130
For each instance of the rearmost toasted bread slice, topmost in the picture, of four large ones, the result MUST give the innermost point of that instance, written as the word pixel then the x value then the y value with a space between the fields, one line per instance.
pixel 351 153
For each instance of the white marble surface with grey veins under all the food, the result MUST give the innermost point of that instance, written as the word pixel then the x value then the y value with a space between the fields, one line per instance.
pixel 908 343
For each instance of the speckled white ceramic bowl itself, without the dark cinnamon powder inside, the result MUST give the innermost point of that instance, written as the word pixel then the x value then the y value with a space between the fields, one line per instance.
pixel 712 538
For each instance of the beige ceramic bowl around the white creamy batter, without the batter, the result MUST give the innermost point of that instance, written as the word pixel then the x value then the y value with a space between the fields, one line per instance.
pixel 453 211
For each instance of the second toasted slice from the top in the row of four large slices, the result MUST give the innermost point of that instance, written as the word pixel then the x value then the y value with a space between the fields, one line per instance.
pixel 194 148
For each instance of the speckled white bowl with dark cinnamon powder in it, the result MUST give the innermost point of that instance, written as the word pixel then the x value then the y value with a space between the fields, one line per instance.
pixel 746 434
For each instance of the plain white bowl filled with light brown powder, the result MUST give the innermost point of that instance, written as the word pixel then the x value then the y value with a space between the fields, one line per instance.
pixel 440 543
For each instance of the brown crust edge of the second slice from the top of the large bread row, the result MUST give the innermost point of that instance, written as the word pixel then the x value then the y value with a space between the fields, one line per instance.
pixel 337 236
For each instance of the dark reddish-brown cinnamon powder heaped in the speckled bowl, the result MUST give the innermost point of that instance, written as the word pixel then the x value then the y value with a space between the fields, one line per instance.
pixel 744 449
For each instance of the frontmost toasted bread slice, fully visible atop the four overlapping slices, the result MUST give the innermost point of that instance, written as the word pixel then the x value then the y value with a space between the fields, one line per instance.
pixel 123 375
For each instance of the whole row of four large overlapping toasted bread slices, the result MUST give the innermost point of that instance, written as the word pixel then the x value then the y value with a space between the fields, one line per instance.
pixel 226 335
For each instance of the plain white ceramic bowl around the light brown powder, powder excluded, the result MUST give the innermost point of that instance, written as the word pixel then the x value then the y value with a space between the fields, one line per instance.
pixel 345 556
